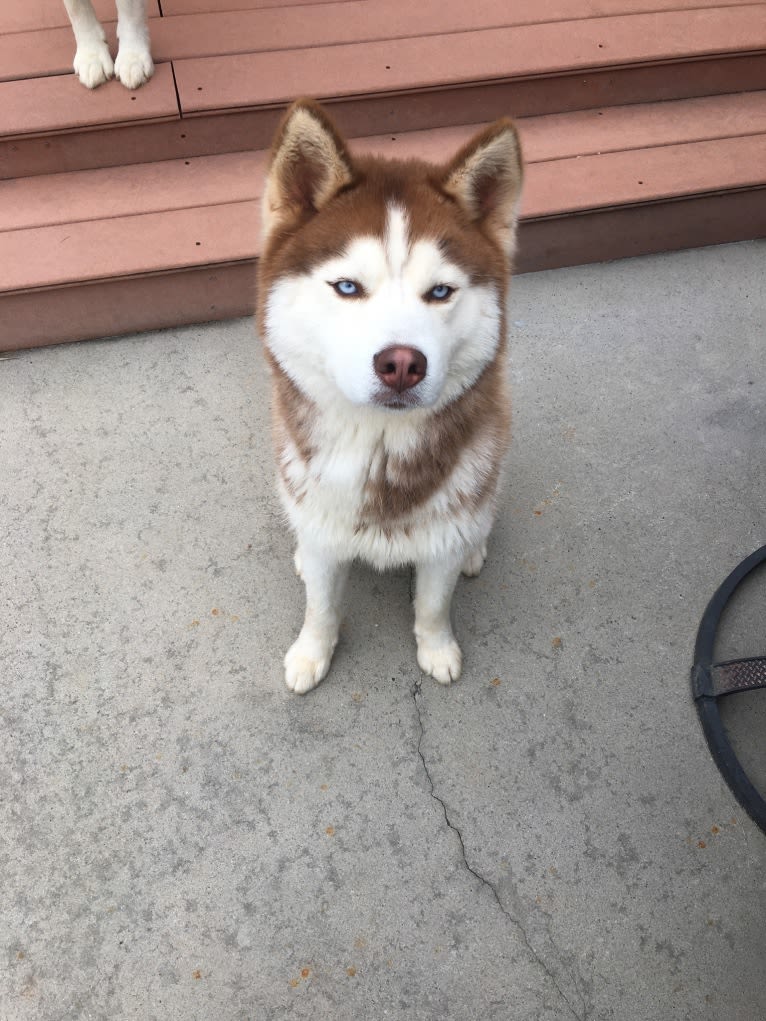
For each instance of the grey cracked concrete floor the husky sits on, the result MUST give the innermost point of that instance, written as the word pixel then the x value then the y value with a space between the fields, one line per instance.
pixel 181 839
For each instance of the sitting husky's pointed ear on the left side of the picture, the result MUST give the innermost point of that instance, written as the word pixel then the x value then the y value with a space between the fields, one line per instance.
pixel 310 165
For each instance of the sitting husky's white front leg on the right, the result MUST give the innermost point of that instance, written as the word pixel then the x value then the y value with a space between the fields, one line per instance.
pixel 439 653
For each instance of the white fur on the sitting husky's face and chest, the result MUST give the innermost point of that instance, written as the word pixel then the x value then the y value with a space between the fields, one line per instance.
pixel 328 347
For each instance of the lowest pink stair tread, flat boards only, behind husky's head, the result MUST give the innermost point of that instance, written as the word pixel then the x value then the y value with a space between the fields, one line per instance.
pixel 211 205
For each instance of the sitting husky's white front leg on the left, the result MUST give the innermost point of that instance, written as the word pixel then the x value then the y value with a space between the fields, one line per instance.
pixel 309 659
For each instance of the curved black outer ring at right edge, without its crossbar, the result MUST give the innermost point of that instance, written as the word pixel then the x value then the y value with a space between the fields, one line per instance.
pixel 707 704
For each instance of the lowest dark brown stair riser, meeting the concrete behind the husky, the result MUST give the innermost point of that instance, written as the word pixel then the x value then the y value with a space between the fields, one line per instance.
pixel 210 294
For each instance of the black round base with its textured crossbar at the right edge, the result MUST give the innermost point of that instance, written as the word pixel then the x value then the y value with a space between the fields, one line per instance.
pixel 713 680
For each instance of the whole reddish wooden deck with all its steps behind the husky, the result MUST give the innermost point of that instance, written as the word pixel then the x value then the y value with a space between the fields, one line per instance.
pixel 644 125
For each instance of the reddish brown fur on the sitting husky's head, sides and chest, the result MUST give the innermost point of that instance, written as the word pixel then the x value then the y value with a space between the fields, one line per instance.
pixel 306 237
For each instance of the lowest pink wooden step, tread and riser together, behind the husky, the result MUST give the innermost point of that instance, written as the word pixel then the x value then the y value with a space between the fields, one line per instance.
pixel 198 221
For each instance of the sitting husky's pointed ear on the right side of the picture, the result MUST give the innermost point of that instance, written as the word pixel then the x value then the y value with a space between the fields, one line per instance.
pixel 486 180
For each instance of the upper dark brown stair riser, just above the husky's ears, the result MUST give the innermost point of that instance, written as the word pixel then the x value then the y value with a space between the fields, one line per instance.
pixel 211 134
